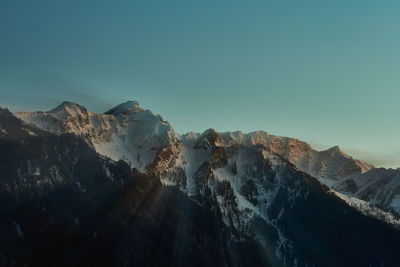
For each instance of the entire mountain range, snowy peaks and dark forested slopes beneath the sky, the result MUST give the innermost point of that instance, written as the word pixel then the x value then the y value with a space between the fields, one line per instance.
pixel 122 188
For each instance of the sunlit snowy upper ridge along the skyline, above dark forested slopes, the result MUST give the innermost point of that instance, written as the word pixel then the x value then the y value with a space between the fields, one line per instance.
pixel 148 143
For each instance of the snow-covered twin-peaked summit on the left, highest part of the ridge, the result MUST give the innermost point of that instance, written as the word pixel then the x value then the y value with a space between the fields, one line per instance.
pixel 126 132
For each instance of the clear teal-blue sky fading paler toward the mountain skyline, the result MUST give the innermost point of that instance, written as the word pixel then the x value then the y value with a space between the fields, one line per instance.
pixel 327 72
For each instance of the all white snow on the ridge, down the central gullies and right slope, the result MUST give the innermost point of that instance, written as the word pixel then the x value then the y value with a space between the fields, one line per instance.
pixel 131 133
